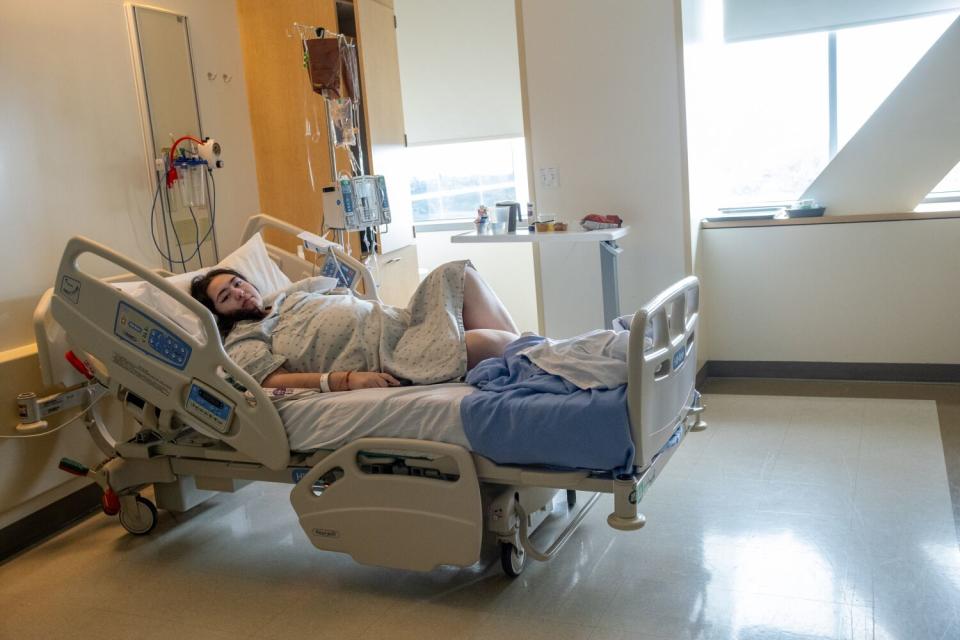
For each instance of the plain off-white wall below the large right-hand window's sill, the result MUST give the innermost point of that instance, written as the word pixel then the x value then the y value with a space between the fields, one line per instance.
pixel 881 292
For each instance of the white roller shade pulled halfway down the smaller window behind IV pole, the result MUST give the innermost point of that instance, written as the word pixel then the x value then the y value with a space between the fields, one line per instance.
pixel 459 70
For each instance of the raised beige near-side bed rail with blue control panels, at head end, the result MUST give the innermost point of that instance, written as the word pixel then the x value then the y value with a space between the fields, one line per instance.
pixel 156 359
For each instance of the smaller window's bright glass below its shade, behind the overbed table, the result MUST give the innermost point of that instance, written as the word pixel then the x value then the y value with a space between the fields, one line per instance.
pixel 449 181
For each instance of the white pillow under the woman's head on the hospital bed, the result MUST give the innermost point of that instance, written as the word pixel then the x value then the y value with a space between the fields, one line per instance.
pixel 251 260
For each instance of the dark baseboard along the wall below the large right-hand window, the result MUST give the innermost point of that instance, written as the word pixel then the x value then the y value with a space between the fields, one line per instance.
pixel 870 371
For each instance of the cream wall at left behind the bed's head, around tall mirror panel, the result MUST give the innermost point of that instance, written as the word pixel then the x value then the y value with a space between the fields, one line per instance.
pixel 72 161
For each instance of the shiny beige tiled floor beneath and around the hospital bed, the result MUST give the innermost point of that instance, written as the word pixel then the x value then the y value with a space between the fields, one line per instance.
pixel 790 517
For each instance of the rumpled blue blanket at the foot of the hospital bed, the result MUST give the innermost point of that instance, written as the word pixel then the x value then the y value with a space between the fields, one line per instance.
pixel 523 415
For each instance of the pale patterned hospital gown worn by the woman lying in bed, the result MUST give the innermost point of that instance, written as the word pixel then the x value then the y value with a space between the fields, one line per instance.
pixel 307 332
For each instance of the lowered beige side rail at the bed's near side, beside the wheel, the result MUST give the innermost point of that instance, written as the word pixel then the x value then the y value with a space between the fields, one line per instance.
pixel 414 522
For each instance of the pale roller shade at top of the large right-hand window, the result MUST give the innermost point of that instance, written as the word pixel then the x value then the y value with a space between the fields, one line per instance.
pixel 747 19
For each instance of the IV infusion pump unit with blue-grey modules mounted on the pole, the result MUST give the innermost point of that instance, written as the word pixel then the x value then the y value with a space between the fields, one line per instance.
pixel 356 203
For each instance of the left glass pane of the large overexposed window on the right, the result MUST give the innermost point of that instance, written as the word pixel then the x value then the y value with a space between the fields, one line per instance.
pixel 757 120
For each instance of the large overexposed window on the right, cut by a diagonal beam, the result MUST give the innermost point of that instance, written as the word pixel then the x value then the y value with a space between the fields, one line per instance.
pixel 761 113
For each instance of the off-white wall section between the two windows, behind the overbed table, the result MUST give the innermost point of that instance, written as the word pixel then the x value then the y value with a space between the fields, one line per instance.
pixel 605 106
